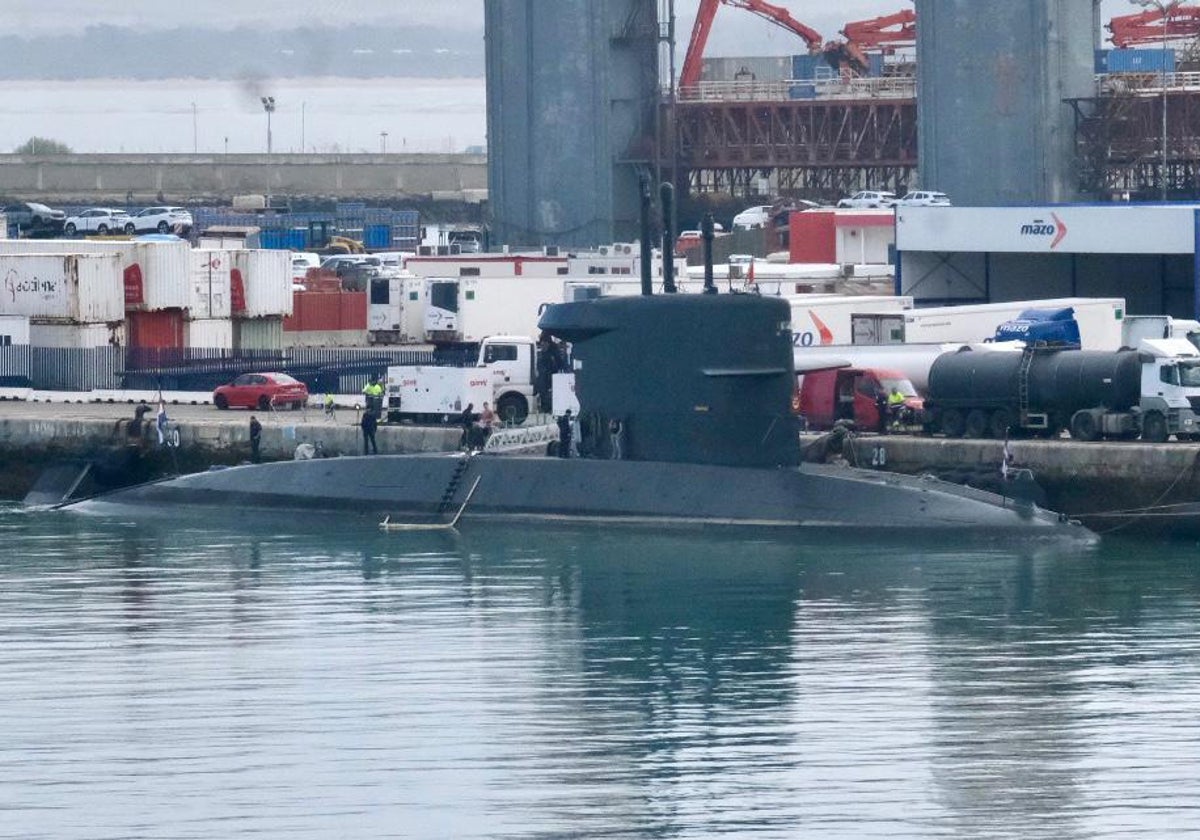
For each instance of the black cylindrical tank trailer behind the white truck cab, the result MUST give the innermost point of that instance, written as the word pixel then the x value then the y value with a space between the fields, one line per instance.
pixel 979 394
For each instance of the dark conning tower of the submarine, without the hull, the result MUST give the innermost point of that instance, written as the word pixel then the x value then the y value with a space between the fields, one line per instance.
pixel 693 379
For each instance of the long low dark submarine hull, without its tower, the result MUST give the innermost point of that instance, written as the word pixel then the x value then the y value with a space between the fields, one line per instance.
pixel 434 488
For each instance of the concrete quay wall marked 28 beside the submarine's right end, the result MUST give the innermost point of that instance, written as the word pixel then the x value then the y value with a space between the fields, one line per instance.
pixel 1108 485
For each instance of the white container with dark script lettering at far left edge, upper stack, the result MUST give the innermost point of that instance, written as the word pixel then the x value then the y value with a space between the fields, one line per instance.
pixel 74 289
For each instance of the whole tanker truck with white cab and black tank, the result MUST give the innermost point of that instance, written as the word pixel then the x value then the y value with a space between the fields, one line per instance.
pixel 1153 393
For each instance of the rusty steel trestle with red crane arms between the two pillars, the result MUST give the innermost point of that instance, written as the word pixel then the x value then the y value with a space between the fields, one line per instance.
pixel 824 136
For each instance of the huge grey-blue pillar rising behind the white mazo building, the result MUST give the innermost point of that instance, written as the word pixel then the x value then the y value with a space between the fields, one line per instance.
pixel 992 83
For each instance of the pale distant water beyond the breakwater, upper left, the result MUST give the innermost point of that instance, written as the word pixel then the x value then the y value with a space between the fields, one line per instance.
pixel 211 117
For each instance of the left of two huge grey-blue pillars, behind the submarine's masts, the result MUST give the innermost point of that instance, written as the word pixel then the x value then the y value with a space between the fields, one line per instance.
pixel 572 89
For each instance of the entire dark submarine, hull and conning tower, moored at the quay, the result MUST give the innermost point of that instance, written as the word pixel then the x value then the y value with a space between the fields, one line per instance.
pixel 703 385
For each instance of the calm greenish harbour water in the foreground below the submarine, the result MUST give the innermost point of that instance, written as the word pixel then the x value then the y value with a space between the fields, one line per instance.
pixel 323 681
